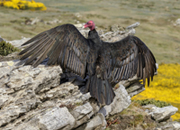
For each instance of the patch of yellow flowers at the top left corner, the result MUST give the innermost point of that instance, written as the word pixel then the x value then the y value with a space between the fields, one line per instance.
pixel 23 4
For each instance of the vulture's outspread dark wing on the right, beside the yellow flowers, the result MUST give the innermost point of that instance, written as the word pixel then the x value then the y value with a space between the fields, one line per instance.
pixel 124 59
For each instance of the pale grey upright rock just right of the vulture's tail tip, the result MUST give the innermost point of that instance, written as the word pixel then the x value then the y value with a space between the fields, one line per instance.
pixel 121 101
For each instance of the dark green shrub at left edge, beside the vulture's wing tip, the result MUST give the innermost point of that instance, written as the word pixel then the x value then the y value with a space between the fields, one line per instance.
pixel 7 48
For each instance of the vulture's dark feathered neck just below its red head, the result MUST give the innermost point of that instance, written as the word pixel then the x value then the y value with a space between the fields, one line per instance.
pixel 93 35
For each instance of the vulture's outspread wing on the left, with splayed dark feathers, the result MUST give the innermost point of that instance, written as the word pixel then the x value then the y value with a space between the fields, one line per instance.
pixel 63 45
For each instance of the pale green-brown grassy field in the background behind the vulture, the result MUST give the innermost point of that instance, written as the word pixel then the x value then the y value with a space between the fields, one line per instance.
pixel 156 28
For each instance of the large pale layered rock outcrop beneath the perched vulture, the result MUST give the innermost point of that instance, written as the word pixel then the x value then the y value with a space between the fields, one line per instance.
pixel 33 99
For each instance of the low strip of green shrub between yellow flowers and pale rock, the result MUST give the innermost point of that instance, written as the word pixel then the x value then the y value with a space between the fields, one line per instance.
pixel 152 101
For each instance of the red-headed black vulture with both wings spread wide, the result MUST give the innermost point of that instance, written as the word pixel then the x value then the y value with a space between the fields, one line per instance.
pixel 104 63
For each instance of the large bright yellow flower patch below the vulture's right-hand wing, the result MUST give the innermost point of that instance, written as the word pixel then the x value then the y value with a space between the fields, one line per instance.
pixel 165 87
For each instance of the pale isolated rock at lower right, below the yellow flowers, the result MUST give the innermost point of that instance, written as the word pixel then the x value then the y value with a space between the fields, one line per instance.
pixel 163 114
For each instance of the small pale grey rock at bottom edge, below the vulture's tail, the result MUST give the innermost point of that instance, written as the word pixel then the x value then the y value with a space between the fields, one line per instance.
pixel 98 120
